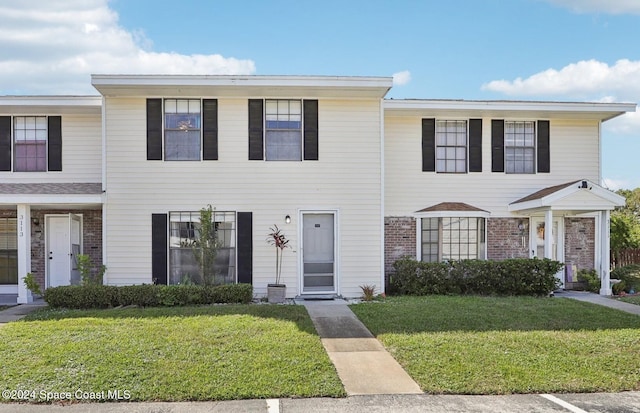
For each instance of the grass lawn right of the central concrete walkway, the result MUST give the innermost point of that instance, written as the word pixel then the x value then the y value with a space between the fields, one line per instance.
pixel 488 345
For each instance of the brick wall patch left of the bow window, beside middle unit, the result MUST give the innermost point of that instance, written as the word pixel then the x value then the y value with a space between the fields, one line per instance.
pixel 399 240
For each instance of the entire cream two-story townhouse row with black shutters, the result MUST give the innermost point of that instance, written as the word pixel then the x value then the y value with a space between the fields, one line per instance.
pixel 353 180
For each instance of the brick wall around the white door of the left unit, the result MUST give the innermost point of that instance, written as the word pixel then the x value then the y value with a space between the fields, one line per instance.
pixel 91 236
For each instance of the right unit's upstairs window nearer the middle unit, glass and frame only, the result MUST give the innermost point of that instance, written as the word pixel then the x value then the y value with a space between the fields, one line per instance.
pixel 451 146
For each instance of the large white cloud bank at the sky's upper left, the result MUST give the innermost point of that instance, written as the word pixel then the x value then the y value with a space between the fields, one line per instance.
pixel 52 47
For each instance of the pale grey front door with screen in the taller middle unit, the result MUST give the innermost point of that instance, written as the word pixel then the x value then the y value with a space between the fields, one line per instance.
pixel 318 252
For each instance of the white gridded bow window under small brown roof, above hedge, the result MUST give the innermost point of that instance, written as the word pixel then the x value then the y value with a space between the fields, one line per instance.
pixel 452 238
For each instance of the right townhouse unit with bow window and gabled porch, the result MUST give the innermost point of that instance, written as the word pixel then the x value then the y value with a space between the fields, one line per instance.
pixel 498 179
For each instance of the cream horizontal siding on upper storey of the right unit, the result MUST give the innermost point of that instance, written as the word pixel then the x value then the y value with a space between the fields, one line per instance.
pixel 574 147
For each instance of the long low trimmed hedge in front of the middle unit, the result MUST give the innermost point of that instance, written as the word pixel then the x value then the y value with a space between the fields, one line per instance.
pixel 145 295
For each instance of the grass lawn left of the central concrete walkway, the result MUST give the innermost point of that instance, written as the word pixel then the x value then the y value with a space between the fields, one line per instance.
pixel 170 354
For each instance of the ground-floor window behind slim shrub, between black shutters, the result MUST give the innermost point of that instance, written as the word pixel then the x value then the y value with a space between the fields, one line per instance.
pixel 184 227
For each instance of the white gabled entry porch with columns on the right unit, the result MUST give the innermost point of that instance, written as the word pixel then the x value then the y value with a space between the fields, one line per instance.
pixel 547 209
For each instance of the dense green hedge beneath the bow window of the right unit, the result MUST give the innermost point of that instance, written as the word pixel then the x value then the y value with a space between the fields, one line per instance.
pixel 517 276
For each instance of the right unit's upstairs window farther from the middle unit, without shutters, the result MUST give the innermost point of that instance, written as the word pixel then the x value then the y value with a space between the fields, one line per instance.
pixel 520 147
